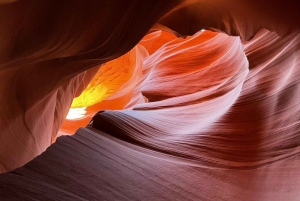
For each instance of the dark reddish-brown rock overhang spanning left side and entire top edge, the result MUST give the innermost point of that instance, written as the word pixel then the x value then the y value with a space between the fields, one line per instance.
pixel 41 54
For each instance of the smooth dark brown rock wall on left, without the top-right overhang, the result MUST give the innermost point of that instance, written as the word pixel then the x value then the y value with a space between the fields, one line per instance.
pixel 46 49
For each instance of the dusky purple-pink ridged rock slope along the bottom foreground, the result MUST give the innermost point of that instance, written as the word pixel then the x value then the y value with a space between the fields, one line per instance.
pixel 97 166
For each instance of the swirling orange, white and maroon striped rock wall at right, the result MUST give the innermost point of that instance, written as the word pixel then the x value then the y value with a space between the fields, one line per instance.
pixel 216 116
